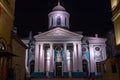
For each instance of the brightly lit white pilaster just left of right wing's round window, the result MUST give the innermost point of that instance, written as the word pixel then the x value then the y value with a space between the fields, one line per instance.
pixel 92 61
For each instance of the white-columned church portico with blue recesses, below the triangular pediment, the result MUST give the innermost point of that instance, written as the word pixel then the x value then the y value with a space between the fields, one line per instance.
pixel 52 55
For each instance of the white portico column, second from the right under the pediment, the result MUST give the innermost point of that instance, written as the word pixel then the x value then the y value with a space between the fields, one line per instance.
pixel 74 58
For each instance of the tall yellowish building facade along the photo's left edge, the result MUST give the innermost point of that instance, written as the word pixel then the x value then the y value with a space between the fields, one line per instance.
pixel 6 27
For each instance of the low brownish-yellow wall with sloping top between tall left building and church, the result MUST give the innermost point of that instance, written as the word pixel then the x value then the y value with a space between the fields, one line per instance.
pixel 18 62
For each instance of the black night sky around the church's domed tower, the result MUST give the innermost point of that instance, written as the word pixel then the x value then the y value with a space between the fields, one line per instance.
pixel 89 16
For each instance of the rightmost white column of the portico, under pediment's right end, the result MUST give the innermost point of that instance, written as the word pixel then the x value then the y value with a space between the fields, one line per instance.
pixel 79 57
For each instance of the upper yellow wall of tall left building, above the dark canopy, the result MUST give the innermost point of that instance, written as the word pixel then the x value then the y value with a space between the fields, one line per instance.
pixel 6 21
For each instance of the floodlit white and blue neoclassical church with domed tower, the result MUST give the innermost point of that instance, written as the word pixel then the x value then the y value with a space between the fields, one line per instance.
pixel 61 52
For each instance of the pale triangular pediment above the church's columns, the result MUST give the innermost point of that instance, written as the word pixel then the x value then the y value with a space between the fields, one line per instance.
pixel 58 33
